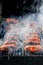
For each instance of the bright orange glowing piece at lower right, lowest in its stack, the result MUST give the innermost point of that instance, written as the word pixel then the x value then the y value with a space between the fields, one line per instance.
pixel 33 48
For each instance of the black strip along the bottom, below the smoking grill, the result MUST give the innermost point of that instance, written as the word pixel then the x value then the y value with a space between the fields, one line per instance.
pixel 31 60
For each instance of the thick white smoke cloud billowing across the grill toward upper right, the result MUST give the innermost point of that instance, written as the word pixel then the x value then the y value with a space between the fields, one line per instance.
pixel 23 28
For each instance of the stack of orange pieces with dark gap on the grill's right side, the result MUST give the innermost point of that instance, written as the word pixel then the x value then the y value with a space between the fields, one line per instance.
pixel 32 43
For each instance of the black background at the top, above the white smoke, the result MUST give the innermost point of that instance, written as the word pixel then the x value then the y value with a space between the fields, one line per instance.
pixel 20 7
